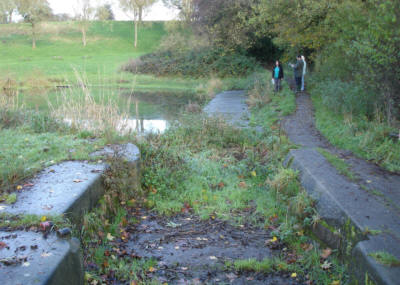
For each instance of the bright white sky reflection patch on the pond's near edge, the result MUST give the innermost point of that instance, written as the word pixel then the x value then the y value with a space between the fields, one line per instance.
pixel 143 126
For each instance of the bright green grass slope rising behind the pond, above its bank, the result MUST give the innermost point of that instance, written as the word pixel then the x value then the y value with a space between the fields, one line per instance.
pixel 60 50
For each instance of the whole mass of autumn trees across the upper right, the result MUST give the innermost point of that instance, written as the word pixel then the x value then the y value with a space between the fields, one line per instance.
pixel 349 41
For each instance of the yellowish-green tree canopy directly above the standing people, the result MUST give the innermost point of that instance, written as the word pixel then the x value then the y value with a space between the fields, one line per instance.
pixel 296 24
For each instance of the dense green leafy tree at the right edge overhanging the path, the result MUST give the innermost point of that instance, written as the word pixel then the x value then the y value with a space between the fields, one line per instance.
pixel 369 38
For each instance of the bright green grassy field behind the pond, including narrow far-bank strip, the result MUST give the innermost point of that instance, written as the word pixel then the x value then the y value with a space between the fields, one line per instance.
pixel 60 55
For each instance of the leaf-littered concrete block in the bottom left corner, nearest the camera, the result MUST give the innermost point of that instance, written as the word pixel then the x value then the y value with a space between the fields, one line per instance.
pixel 31 259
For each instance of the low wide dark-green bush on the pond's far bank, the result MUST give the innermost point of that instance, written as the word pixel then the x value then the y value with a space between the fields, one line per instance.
pixel 194 63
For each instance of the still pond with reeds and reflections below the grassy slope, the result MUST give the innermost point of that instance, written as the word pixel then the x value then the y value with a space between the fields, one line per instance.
pixel 144 111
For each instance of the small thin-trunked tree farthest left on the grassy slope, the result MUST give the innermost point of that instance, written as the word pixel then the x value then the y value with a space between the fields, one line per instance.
pixel 34 11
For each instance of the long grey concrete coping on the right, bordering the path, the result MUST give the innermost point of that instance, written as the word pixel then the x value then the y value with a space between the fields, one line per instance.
pixel 349 210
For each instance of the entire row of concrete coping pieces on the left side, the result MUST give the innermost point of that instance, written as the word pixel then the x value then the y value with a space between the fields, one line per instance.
pixel 71 188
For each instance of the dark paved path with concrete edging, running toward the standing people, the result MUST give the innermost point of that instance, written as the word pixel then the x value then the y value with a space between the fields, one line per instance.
pixel 371 201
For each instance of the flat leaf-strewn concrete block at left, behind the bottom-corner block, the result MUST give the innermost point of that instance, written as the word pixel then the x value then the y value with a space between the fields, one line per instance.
pixel 69 188
